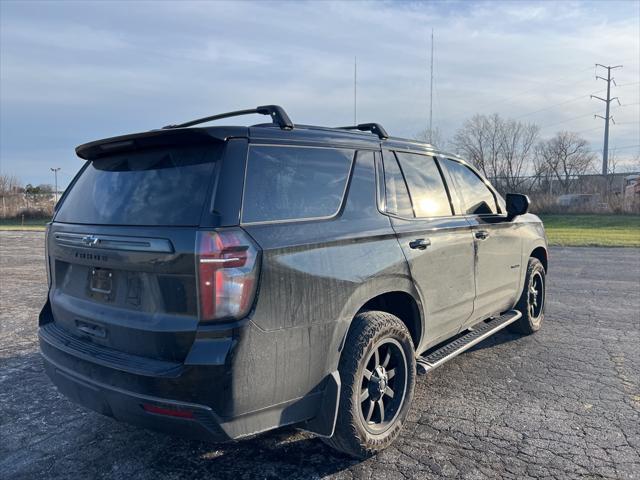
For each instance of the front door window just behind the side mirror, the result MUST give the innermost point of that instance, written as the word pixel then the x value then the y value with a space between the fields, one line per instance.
pixel 477 199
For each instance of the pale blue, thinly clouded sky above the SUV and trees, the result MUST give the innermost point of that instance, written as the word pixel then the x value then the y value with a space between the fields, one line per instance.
pixel 73 72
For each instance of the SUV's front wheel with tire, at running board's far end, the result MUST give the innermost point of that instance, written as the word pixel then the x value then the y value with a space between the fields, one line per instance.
pixel 531 303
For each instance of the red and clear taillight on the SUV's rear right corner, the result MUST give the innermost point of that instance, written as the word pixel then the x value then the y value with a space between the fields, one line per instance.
pixel 227 263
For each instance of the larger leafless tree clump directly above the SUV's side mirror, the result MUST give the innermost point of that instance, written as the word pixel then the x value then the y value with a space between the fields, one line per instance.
pixel 501 149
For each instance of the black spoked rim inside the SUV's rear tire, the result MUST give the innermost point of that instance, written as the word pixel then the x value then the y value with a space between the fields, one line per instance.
pixel 383 385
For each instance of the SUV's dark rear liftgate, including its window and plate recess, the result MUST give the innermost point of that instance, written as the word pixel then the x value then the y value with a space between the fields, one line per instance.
pixel 121 250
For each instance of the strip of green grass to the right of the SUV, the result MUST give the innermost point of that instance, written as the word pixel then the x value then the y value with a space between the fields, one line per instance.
pixel 593 230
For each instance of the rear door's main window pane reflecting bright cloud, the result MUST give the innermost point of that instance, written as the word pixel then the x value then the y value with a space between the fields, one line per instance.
pixel 426 188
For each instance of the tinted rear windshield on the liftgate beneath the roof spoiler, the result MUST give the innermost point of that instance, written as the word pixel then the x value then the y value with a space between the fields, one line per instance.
pixel 161 187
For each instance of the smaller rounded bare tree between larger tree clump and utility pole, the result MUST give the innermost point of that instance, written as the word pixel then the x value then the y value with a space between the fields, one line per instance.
pixel 563 157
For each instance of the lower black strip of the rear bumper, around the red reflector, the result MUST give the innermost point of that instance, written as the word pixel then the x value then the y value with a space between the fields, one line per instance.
pixel 197 421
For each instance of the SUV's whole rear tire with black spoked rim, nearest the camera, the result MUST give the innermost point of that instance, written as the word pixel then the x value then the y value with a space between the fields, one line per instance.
pixel 375 338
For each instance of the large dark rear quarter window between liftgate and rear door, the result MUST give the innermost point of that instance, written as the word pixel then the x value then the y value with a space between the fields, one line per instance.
pixel 287 183
